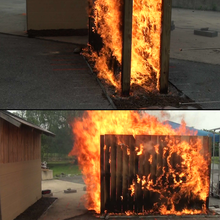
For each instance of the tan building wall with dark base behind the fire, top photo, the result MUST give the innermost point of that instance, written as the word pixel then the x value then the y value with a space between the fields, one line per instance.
pixel 57 17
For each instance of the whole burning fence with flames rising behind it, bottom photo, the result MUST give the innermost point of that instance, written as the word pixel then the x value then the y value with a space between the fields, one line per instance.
pixel 167 172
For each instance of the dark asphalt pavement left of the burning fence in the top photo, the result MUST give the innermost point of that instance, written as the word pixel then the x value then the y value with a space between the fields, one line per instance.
pixel 41 74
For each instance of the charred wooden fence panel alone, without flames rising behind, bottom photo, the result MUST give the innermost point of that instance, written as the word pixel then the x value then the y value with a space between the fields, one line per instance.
pixel 154 174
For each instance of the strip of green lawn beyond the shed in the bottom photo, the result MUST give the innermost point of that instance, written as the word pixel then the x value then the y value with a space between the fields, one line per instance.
pixel 63 167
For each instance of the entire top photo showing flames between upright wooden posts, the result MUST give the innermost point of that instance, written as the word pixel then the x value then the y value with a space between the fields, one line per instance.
pixel 110 54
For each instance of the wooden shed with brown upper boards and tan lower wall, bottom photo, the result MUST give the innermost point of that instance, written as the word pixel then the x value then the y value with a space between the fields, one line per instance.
pixel 20 164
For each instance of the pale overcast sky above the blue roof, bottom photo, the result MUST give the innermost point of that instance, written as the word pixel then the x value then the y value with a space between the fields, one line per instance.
pixel 197 119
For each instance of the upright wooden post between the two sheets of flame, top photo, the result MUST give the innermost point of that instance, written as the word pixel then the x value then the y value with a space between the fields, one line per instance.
pixel 126 47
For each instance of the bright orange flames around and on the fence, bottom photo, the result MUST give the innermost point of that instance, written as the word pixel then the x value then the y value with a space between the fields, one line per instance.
pixel 87 131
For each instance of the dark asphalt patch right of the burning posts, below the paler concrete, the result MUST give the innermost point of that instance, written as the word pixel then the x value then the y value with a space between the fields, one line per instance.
pixel 199 81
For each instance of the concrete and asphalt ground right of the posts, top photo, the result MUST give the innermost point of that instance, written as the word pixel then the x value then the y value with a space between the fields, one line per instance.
pixel 195 60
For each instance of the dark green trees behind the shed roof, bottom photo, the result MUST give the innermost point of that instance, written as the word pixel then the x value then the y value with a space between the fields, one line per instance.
pixel 58 122
